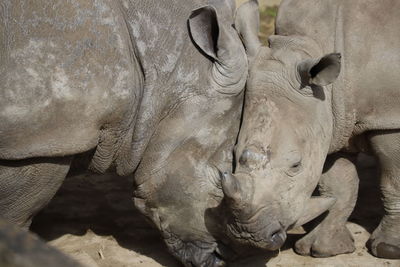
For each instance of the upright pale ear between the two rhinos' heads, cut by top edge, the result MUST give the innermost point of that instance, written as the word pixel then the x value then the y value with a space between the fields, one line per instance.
pixel 247 23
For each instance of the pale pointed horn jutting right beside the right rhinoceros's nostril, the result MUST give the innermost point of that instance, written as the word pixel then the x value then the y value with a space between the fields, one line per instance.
pixel 315 207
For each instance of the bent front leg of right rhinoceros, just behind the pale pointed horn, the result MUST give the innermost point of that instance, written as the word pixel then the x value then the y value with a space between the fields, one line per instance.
pixel 331 237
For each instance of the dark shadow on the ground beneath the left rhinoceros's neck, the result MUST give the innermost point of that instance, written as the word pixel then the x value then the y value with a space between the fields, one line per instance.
pixel 101 204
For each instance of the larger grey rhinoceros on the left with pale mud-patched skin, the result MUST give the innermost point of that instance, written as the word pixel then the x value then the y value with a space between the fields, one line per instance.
pixel 149 87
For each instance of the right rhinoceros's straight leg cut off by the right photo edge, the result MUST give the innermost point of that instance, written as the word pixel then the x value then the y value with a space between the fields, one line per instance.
pixel 385 240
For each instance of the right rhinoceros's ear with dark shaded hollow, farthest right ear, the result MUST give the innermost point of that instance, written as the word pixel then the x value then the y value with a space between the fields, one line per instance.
pixel 320 72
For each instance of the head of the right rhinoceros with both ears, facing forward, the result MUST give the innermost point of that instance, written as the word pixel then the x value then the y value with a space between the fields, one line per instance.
pixel 284 138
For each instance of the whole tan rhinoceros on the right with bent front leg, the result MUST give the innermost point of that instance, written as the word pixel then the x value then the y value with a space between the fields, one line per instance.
pixel 303 106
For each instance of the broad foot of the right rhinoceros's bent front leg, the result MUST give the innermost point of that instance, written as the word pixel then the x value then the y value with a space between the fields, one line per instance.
pixel 326 242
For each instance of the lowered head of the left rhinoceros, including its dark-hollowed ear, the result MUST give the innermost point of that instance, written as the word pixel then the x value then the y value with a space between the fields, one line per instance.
pixel 177 179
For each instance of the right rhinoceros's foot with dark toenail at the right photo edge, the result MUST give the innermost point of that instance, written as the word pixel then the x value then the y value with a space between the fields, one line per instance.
pixel 383 245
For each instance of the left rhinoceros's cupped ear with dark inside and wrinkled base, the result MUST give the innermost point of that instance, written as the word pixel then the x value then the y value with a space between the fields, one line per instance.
pixel 218 39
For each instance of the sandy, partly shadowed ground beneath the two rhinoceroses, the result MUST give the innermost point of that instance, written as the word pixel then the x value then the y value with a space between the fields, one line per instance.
pixel 93 220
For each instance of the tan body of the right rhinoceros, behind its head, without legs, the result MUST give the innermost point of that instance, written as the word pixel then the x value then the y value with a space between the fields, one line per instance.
pixel 364 33
